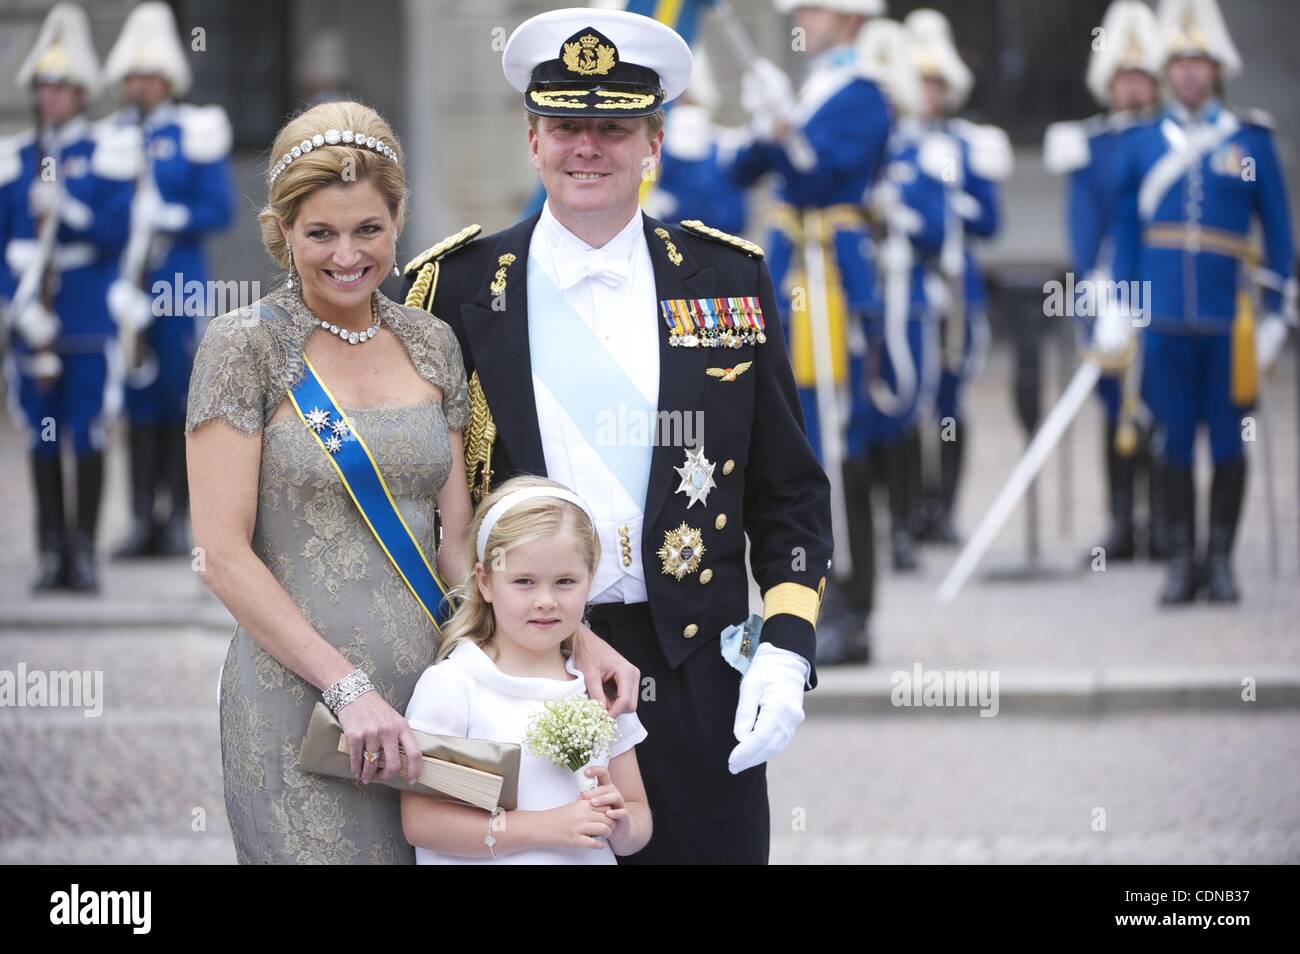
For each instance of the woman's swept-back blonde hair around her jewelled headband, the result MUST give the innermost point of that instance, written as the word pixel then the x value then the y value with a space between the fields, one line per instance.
pixel 327 167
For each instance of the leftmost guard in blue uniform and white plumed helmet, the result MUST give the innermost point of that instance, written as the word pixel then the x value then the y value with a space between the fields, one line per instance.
pixel 66 189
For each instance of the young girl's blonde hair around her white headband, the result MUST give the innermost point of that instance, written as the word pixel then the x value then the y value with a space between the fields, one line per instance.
pixel 525 524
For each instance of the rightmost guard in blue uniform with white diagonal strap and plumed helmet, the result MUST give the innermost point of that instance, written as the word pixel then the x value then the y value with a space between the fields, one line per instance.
pixel 1188 189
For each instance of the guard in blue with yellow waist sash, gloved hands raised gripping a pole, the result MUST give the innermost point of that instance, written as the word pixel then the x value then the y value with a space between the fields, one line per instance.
pixel 825 148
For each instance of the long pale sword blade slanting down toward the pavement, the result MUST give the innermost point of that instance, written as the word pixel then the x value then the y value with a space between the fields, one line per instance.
pixel 1032 463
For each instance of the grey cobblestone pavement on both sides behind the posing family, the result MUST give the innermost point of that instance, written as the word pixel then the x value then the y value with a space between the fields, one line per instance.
pixel 142 783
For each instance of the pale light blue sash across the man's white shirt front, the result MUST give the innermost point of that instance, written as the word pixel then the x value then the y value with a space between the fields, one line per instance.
pixel 592 388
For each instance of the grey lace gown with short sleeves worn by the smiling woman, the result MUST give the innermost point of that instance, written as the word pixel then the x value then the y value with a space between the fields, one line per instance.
pixel 319 549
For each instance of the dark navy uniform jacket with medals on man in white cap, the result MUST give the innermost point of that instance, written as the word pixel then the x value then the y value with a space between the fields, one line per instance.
pixel 775 493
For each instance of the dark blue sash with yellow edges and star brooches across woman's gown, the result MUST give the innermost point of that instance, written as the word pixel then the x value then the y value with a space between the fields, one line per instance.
pixel 345 449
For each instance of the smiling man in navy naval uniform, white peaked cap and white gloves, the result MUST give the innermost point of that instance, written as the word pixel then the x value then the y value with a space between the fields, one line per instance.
pixel 644 366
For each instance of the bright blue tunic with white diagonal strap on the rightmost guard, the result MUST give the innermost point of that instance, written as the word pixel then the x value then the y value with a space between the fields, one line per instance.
pixel 1185 197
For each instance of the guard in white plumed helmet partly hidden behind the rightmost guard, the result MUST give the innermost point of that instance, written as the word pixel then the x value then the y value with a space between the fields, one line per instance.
pixel 1121 76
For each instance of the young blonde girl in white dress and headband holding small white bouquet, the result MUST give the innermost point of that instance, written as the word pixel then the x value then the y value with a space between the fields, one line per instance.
pixel 508 651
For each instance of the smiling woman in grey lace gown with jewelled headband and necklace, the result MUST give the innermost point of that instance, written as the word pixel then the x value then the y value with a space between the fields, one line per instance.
pixel 281 541
